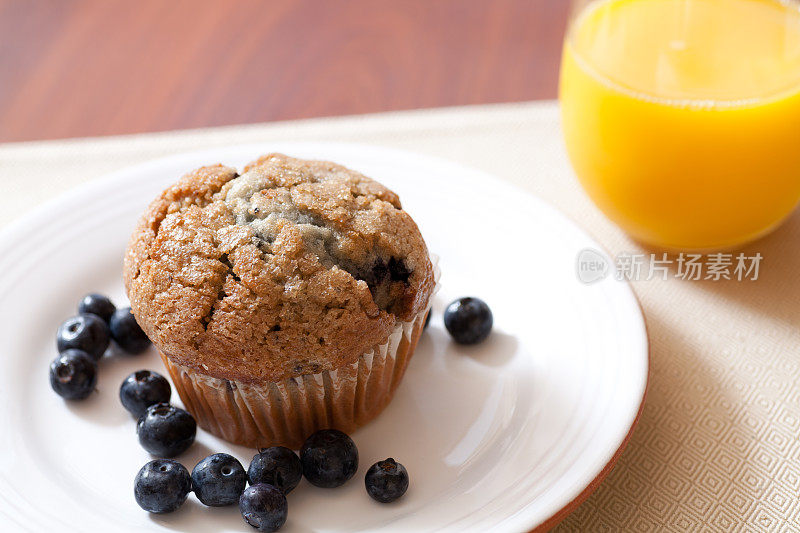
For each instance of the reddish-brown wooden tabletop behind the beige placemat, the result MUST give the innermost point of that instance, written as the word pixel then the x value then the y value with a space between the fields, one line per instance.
pixel 98 67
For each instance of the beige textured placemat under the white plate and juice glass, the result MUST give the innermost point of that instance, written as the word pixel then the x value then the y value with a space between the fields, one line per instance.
pixel 717 445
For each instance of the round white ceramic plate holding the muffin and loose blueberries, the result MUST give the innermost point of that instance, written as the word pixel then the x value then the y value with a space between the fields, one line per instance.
pixel 505 436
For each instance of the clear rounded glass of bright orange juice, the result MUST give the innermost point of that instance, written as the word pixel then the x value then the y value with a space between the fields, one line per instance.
pixel 682 117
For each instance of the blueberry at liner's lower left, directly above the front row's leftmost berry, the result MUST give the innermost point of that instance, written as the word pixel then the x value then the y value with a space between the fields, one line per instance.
pixel 166 431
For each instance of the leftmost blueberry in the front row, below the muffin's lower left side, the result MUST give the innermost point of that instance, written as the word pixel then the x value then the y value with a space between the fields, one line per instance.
pixel 161 486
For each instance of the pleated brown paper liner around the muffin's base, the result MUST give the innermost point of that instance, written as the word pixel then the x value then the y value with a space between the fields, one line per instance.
pixel 285 413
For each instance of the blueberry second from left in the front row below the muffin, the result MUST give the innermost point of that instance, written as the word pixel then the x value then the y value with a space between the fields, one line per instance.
pixel 218 480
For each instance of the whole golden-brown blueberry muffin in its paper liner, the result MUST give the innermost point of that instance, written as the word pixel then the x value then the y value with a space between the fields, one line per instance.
pixel 284 299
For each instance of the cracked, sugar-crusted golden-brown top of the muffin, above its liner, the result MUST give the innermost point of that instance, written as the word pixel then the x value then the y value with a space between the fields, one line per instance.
pixel 292 267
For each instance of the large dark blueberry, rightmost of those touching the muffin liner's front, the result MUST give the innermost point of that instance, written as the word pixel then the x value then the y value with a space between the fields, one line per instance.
pixel 329 458
